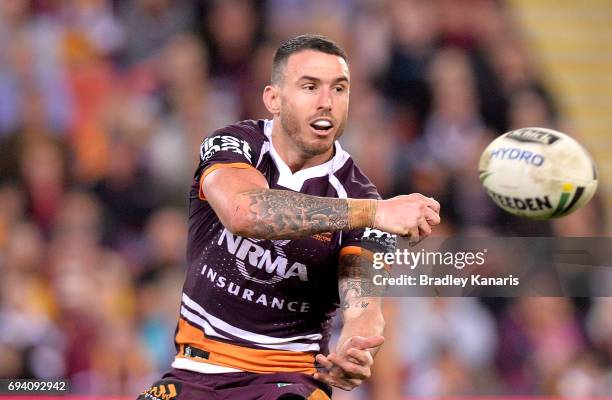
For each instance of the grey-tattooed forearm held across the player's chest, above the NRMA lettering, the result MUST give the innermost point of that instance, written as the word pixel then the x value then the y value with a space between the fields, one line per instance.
pixel 290 215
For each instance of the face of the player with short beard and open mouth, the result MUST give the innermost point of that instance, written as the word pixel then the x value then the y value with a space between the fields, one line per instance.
pixel 314 96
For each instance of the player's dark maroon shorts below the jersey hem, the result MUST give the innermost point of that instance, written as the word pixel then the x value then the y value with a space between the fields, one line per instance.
pixel 179 384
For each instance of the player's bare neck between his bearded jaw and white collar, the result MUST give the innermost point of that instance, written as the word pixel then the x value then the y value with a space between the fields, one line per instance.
pixel 291 154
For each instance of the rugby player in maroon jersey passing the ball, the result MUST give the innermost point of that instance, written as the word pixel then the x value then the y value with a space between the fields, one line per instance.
pixel 282 227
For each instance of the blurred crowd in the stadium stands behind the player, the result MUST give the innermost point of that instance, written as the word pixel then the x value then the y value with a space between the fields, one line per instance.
pixel 103 105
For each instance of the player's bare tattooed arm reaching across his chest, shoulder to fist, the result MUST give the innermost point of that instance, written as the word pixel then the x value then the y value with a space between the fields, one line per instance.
pixel 248 207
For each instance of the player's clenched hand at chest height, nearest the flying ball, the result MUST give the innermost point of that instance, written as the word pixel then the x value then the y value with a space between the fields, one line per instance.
pixel 410 216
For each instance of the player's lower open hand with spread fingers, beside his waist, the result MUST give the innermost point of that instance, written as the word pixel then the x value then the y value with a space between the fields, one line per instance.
pixel 352 363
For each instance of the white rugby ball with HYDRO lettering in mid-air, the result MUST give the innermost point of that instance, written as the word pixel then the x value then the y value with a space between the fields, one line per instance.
pixel 538 173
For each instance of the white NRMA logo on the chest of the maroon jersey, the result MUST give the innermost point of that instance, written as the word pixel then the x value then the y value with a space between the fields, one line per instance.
pixel 252 257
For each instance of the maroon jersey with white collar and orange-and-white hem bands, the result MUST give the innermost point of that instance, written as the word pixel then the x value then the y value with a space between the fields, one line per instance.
pixel 264 305
